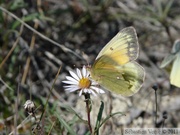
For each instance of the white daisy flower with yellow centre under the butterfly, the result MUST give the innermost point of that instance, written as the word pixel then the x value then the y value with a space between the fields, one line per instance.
pixel 80 81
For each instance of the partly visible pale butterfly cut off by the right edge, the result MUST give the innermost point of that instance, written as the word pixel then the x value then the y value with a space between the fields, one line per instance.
pixel 174 57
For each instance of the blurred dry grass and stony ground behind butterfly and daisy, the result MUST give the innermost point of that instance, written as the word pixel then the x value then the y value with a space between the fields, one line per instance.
pixel 29 62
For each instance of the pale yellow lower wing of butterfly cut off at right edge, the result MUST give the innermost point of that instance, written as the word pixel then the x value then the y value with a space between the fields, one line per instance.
pixel 175 72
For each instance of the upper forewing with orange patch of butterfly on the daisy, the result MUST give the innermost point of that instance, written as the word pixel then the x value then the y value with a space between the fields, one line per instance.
pixel 123 47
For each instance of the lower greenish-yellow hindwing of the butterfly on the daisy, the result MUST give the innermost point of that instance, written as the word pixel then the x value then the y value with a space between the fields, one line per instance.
pixel 125 80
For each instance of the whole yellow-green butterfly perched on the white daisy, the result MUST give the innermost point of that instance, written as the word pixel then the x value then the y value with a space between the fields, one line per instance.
pixel 115 68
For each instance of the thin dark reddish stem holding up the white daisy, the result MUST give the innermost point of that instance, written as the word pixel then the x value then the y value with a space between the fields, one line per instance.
pixel 88 109
